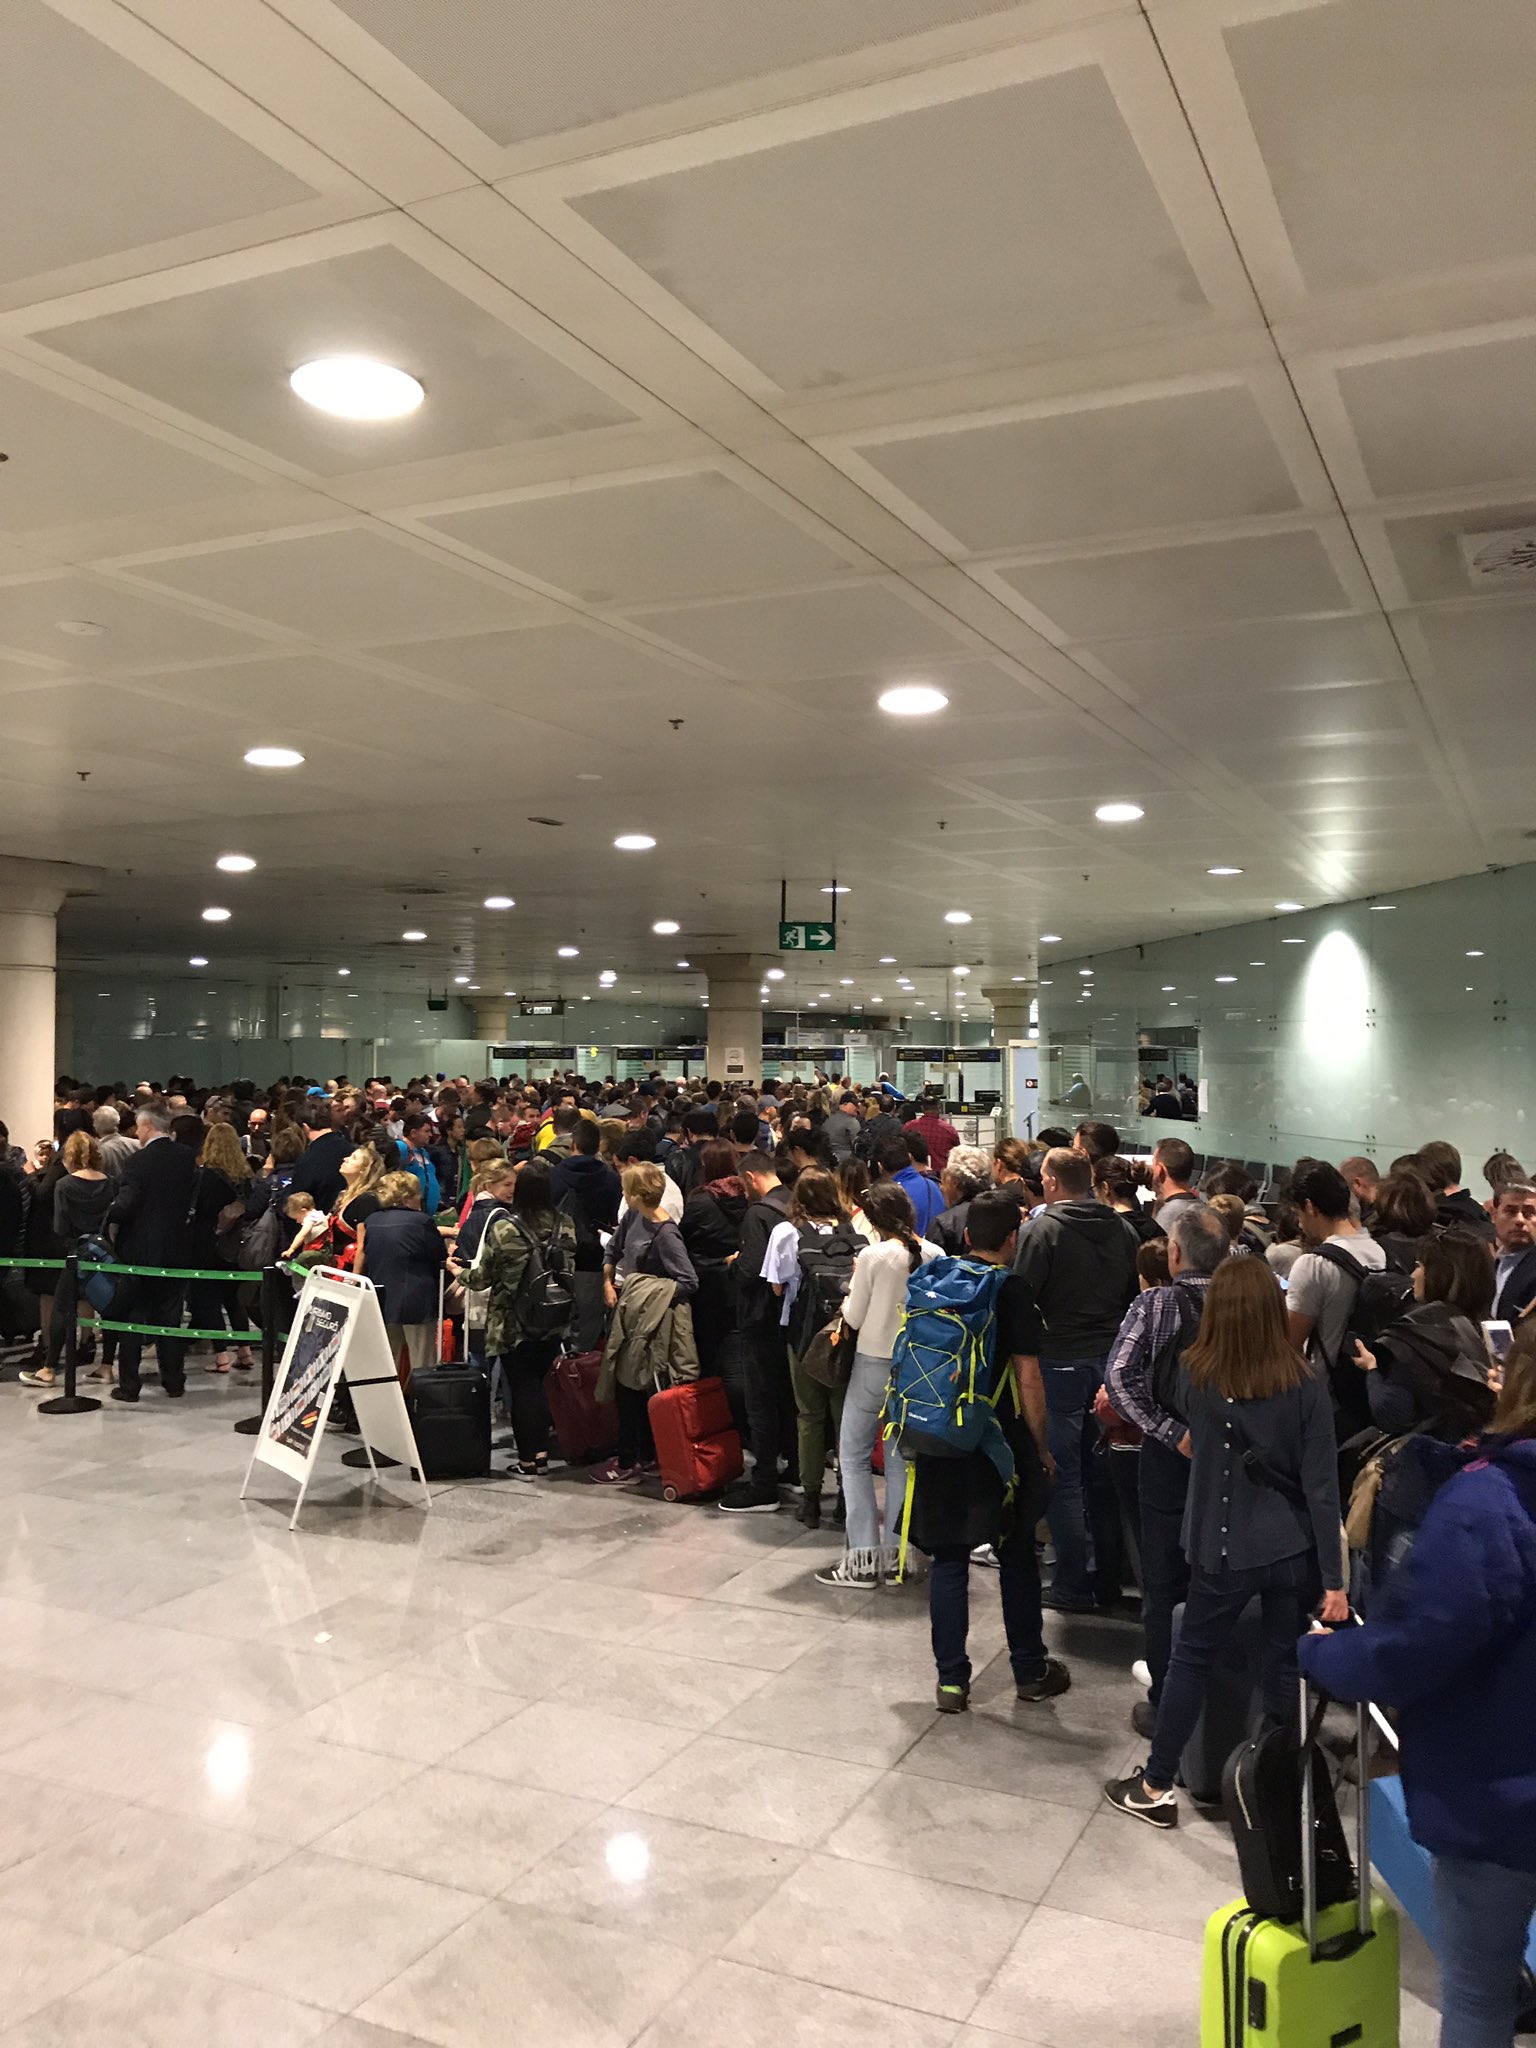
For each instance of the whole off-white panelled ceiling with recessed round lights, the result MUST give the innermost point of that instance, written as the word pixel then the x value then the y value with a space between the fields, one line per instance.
pixel 1134 372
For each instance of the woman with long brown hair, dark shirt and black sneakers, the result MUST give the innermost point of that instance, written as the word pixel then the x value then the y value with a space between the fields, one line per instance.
pixel 1263 1519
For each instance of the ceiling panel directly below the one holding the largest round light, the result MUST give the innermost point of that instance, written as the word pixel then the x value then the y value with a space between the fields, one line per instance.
pixel 351 587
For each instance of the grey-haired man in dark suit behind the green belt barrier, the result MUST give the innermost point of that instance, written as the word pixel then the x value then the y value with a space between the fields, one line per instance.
pixel 153 1222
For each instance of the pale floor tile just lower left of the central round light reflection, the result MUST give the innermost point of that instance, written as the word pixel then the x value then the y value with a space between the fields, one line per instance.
pixel 331 1928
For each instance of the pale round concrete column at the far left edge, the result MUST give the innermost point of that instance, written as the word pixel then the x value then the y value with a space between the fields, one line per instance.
pixel 30 906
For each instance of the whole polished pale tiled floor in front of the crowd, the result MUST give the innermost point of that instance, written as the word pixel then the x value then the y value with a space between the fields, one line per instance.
pixel 546 1766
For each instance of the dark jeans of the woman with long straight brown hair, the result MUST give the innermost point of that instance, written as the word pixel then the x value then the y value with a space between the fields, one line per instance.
pixel 1211 1615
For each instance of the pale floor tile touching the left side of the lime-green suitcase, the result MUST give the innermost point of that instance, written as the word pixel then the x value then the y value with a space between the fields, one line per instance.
pixel 1078 1983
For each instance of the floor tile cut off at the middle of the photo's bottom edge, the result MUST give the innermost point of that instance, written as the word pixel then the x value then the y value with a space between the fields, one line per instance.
pixel 732 2004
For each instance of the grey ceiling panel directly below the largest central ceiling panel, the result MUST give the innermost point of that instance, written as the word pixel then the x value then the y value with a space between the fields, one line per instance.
pixel 1170 460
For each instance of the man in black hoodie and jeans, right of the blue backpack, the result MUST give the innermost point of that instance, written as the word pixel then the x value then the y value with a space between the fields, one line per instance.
pixel 1078 1263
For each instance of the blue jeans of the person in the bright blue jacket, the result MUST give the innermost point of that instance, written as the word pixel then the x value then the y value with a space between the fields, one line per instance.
pixel 1484 1922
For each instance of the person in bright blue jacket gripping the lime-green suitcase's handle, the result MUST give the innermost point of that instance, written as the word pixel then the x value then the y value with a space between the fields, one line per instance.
pixel 1453 1650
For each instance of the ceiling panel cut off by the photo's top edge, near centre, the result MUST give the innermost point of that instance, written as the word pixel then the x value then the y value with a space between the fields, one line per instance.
pixel 523 69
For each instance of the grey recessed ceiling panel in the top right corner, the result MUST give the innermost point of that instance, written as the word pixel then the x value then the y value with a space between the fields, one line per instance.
pixel 1398 134
